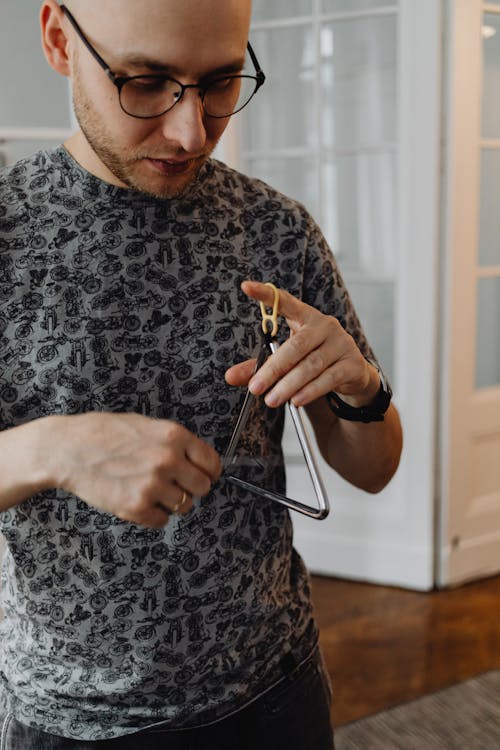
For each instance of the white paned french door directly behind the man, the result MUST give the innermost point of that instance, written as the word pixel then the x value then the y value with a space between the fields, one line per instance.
pixel 348 122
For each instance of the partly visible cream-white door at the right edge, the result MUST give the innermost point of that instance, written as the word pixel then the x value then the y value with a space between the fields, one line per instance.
pixel 470 518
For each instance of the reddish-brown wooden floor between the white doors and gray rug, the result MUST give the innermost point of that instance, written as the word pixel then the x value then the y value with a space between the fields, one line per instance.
pixel 385 646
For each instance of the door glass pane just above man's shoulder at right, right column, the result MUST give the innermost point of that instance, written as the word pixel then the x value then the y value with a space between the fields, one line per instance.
pixel 360 213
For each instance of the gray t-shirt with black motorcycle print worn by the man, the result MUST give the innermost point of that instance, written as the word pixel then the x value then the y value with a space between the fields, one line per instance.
pixel 111 300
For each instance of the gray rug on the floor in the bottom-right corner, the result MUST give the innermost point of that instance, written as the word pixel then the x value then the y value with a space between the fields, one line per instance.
pixel 463 717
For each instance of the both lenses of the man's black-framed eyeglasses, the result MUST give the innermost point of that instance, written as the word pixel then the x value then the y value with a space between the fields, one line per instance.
pixel 150 96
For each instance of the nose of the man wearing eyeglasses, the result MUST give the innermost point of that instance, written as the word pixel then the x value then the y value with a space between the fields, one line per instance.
pixel 184 124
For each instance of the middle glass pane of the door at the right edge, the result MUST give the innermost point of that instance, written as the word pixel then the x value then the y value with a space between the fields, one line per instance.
pixel 489 227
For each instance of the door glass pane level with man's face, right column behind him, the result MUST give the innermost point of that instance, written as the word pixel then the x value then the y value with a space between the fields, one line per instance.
pixel 359 81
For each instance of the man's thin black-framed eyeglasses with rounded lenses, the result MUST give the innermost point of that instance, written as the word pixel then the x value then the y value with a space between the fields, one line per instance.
pixel 149 96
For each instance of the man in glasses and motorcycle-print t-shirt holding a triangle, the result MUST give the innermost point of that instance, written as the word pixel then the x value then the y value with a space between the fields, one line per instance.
pixel 147 599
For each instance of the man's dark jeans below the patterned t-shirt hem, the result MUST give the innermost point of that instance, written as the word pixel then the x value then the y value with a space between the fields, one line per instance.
pixel 294 715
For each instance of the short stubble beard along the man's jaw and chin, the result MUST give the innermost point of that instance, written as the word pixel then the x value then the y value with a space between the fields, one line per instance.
pixel 101 142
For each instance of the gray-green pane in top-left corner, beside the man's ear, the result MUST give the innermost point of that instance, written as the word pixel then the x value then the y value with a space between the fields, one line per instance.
pixel 32 94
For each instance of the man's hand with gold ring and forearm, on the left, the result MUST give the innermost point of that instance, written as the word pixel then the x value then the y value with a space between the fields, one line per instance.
pixel 132 466
